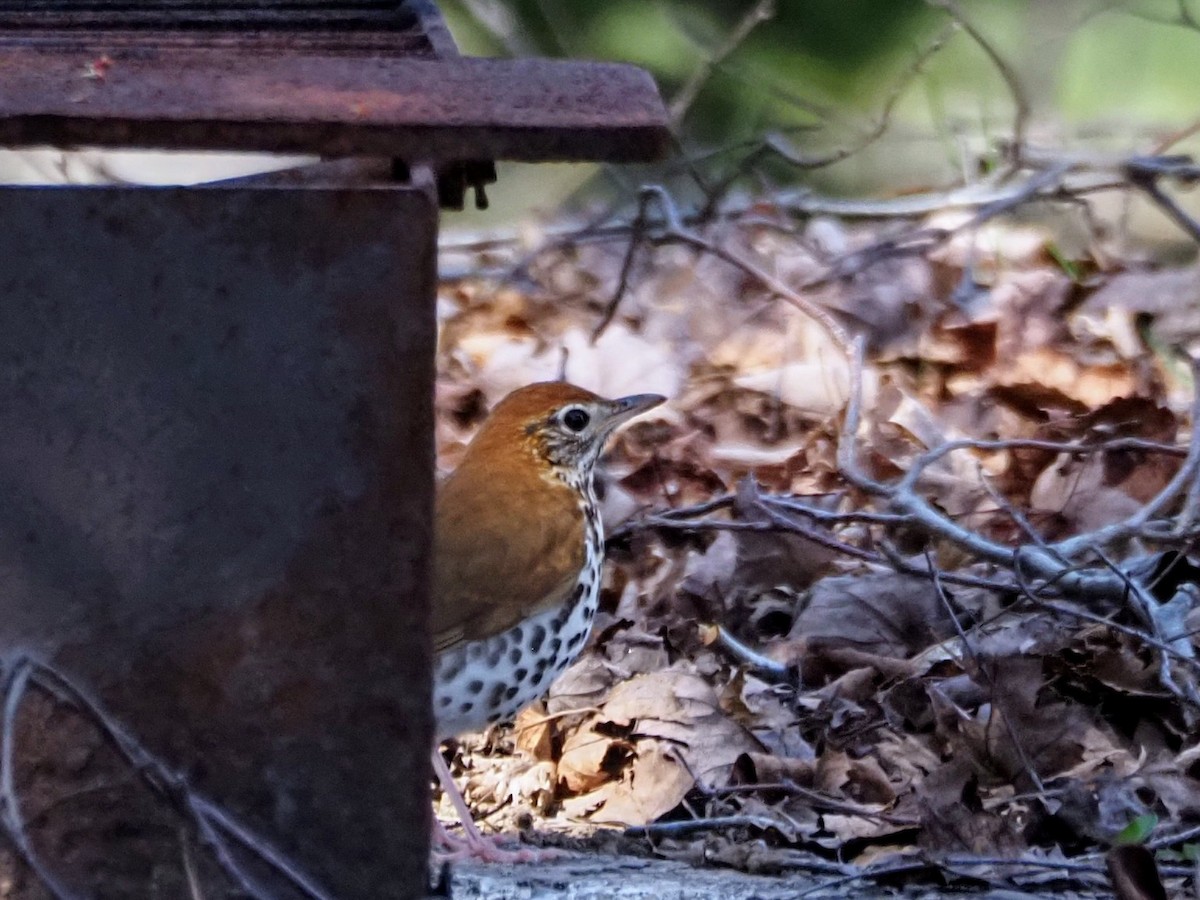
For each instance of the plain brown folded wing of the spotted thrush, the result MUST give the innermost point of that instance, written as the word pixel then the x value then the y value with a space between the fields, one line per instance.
pixel 505 550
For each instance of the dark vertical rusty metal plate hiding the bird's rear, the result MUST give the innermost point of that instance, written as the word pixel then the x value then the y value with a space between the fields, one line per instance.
pixel 215 494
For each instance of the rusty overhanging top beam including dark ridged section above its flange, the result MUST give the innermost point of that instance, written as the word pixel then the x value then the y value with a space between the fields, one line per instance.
pixel 329 77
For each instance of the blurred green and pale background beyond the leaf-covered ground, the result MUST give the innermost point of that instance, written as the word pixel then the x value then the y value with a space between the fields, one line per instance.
pixel 871 98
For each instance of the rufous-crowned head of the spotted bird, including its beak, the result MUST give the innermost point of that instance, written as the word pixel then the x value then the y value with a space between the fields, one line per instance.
pixel 560 424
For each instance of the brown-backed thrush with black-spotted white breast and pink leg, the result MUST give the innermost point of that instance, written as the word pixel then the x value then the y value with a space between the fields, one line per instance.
pixel 518 554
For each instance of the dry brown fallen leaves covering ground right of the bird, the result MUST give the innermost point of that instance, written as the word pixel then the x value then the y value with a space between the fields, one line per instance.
pixel 875 718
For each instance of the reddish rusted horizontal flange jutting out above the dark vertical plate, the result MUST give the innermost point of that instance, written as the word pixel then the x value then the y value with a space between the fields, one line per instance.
pixel 419 111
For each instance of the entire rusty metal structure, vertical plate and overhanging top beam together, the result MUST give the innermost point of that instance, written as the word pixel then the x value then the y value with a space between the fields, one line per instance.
pixel 217 434
